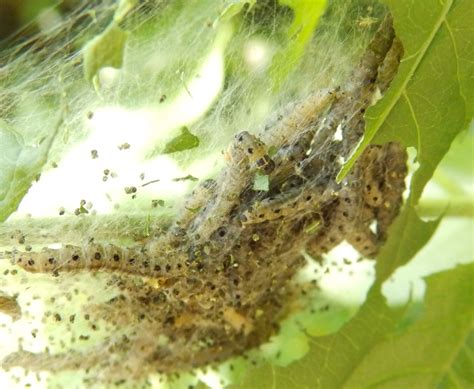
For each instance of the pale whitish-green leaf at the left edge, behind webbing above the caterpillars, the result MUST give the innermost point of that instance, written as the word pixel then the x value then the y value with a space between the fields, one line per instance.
pixel 20 166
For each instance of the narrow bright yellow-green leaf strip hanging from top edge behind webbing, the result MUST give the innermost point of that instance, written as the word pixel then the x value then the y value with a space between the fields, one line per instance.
pixel 306 17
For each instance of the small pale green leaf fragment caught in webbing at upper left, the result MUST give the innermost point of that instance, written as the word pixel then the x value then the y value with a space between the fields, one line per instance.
pixel 105 49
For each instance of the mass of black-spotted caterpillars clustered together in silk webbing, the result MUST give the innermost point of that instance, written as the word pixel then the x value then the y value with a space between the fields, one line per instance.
pixel 219 280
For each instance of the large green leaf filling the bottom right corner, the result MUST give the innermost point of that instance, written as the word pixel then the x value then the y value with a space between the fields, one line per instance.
pixel 373 351
